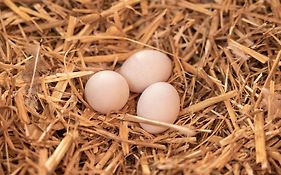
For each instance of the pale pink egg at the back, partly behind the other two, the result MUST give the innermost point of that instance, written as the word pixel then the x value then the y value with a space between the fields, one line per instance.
pixel 146 67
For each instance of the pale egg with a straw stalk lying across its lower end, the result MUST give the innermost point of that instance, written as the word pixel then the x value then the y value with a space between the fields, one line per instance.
pixel 159 102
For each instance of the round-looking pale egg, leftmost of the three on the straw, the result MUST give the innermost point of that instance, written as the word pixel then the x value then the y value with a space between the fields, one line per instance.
pixel 107 91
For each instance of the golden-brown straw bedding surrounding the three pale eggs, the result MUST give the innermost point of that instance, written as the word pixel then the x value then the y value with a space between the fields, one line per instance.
pixel 226 58
